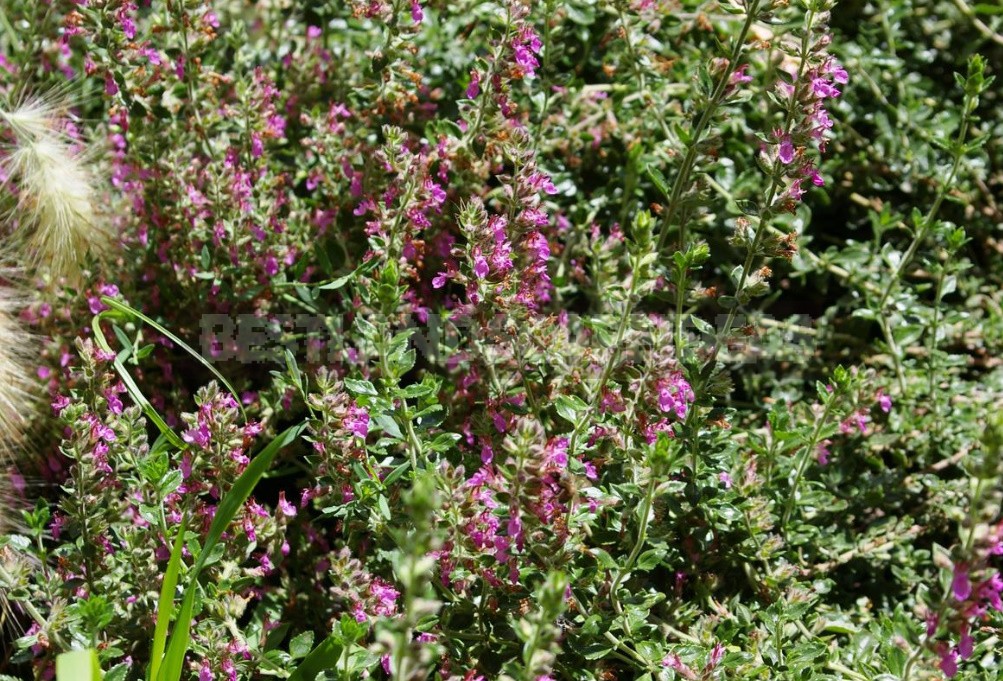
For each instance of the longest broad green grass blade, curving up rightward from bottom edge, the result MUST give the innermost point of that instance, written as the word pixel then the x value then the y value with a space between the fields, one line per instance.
pixel 174 659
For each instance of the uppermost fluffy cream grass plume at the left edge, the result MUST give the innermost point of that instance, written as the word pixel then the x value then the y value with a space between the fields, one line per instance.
pixel 57 226
